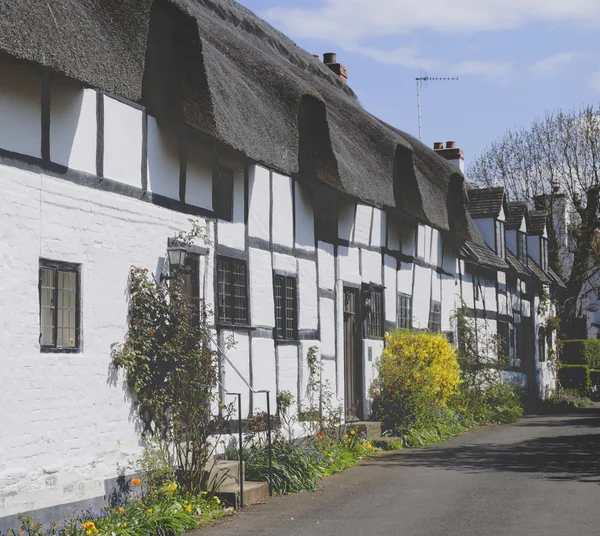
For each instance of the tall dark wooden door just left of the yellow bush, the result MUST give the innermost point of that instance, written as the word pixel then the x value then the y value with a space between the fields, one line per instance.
pixel 352 354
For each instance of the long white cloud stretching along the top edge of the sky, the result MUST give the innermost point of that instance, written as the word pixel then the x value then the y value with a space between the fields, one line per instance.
pixel 341 20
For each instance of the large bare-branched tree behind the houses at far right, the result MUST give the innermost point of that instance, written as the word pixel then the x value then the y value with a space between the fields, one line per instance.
pixel 557 157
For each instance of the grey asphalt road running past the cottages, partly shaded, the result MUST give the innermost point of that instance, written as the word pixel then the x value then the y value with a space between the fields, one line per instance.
pixel 540 476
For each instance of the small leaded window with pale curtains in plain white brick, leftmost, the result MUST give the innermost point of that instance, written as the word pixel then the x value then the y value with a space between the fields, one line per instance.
pixel 59 287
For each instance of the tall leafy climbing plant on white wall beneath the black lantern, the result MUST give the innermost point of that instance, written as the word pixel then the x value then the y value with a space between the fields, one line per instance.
pixel 171 370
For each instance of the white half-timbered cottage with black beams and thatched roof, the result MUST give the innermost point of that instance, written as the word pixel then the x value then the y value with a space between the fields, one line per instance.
pixel 123 119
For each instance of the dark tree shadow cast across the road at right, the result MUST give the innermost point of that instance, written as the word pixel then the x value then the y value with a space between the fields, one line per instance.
pixel 558 457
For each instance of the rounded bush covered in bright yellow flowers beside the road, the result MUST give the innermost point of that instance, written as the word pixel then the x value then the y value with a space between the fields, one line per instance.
pixel 417 374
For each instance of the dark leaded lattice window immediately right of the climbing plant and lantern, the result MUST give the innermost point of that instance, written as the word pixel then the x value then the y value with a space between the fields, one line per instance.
pixel 232 298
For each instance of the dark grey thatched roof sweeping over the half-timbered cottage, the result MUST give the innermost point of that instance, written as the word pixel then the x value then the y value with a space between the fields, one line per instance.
pixel 221 69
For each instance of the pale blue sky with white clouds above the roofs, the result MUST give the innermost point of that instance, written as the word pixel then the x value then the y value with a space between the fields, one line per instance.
pixel 514 59
